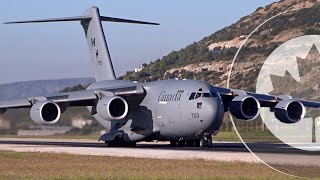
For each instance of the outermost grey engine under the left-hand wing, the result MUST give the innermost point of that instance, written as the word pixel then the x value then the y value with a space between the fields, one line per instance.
pixel 45 112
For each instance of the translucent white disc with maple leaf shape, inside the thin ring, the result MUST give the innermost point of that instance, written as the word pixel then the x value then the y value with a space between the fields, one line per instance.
pixel 293 71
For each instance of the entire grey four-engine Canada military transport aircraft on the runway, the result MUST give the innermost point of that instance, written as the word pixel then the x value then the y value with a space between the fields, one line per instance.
pixel 184 112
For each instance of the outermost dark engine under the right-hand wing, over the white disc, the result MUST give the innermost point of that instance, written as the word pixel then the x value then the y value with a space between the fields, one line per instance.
pixel 290 111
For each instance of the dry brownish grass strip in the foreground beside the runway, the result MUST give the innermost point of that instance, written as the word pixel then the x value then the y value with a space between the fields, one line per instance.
pixel 15 165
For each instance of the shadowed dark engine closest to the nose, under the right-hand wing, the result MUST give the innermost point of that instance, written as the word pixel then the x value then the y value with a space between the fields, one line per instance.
pixel 245 107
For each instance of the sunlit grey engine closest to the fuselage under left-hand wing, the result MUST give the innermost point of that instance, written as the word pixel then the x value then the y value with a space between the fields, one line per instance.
pixel 112 108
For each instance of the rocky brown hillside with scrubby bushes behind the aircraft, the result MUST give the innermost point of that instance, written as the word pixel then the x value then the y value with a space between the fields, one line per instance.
pixel 210 58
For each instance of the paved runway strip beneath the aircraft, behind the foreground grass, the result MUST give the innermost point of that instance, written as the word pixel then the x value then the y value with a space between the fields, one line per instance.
pixel 271 153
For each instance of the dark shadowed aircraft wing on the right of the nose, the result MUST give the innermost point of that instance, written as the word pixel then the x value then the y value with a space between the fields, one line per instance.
pixel 265 100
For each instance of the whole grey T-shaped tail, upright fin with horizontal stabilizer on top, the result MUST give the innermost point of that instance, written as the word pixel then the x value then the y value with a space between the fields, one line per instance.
pixel 98 48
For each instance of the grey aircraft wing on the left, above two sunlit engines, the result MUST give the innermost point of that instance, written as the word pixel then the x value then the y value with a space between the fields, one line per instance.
pixel 134 94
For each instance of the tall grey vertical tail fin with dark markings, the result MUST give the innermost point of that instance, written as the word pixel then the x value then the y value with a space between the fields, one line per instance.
pixel 98 48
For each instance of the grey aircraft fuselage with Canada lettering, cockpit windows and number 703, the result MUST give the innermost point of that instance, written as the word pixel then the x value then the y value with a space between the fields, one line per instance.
pixel 170 110
